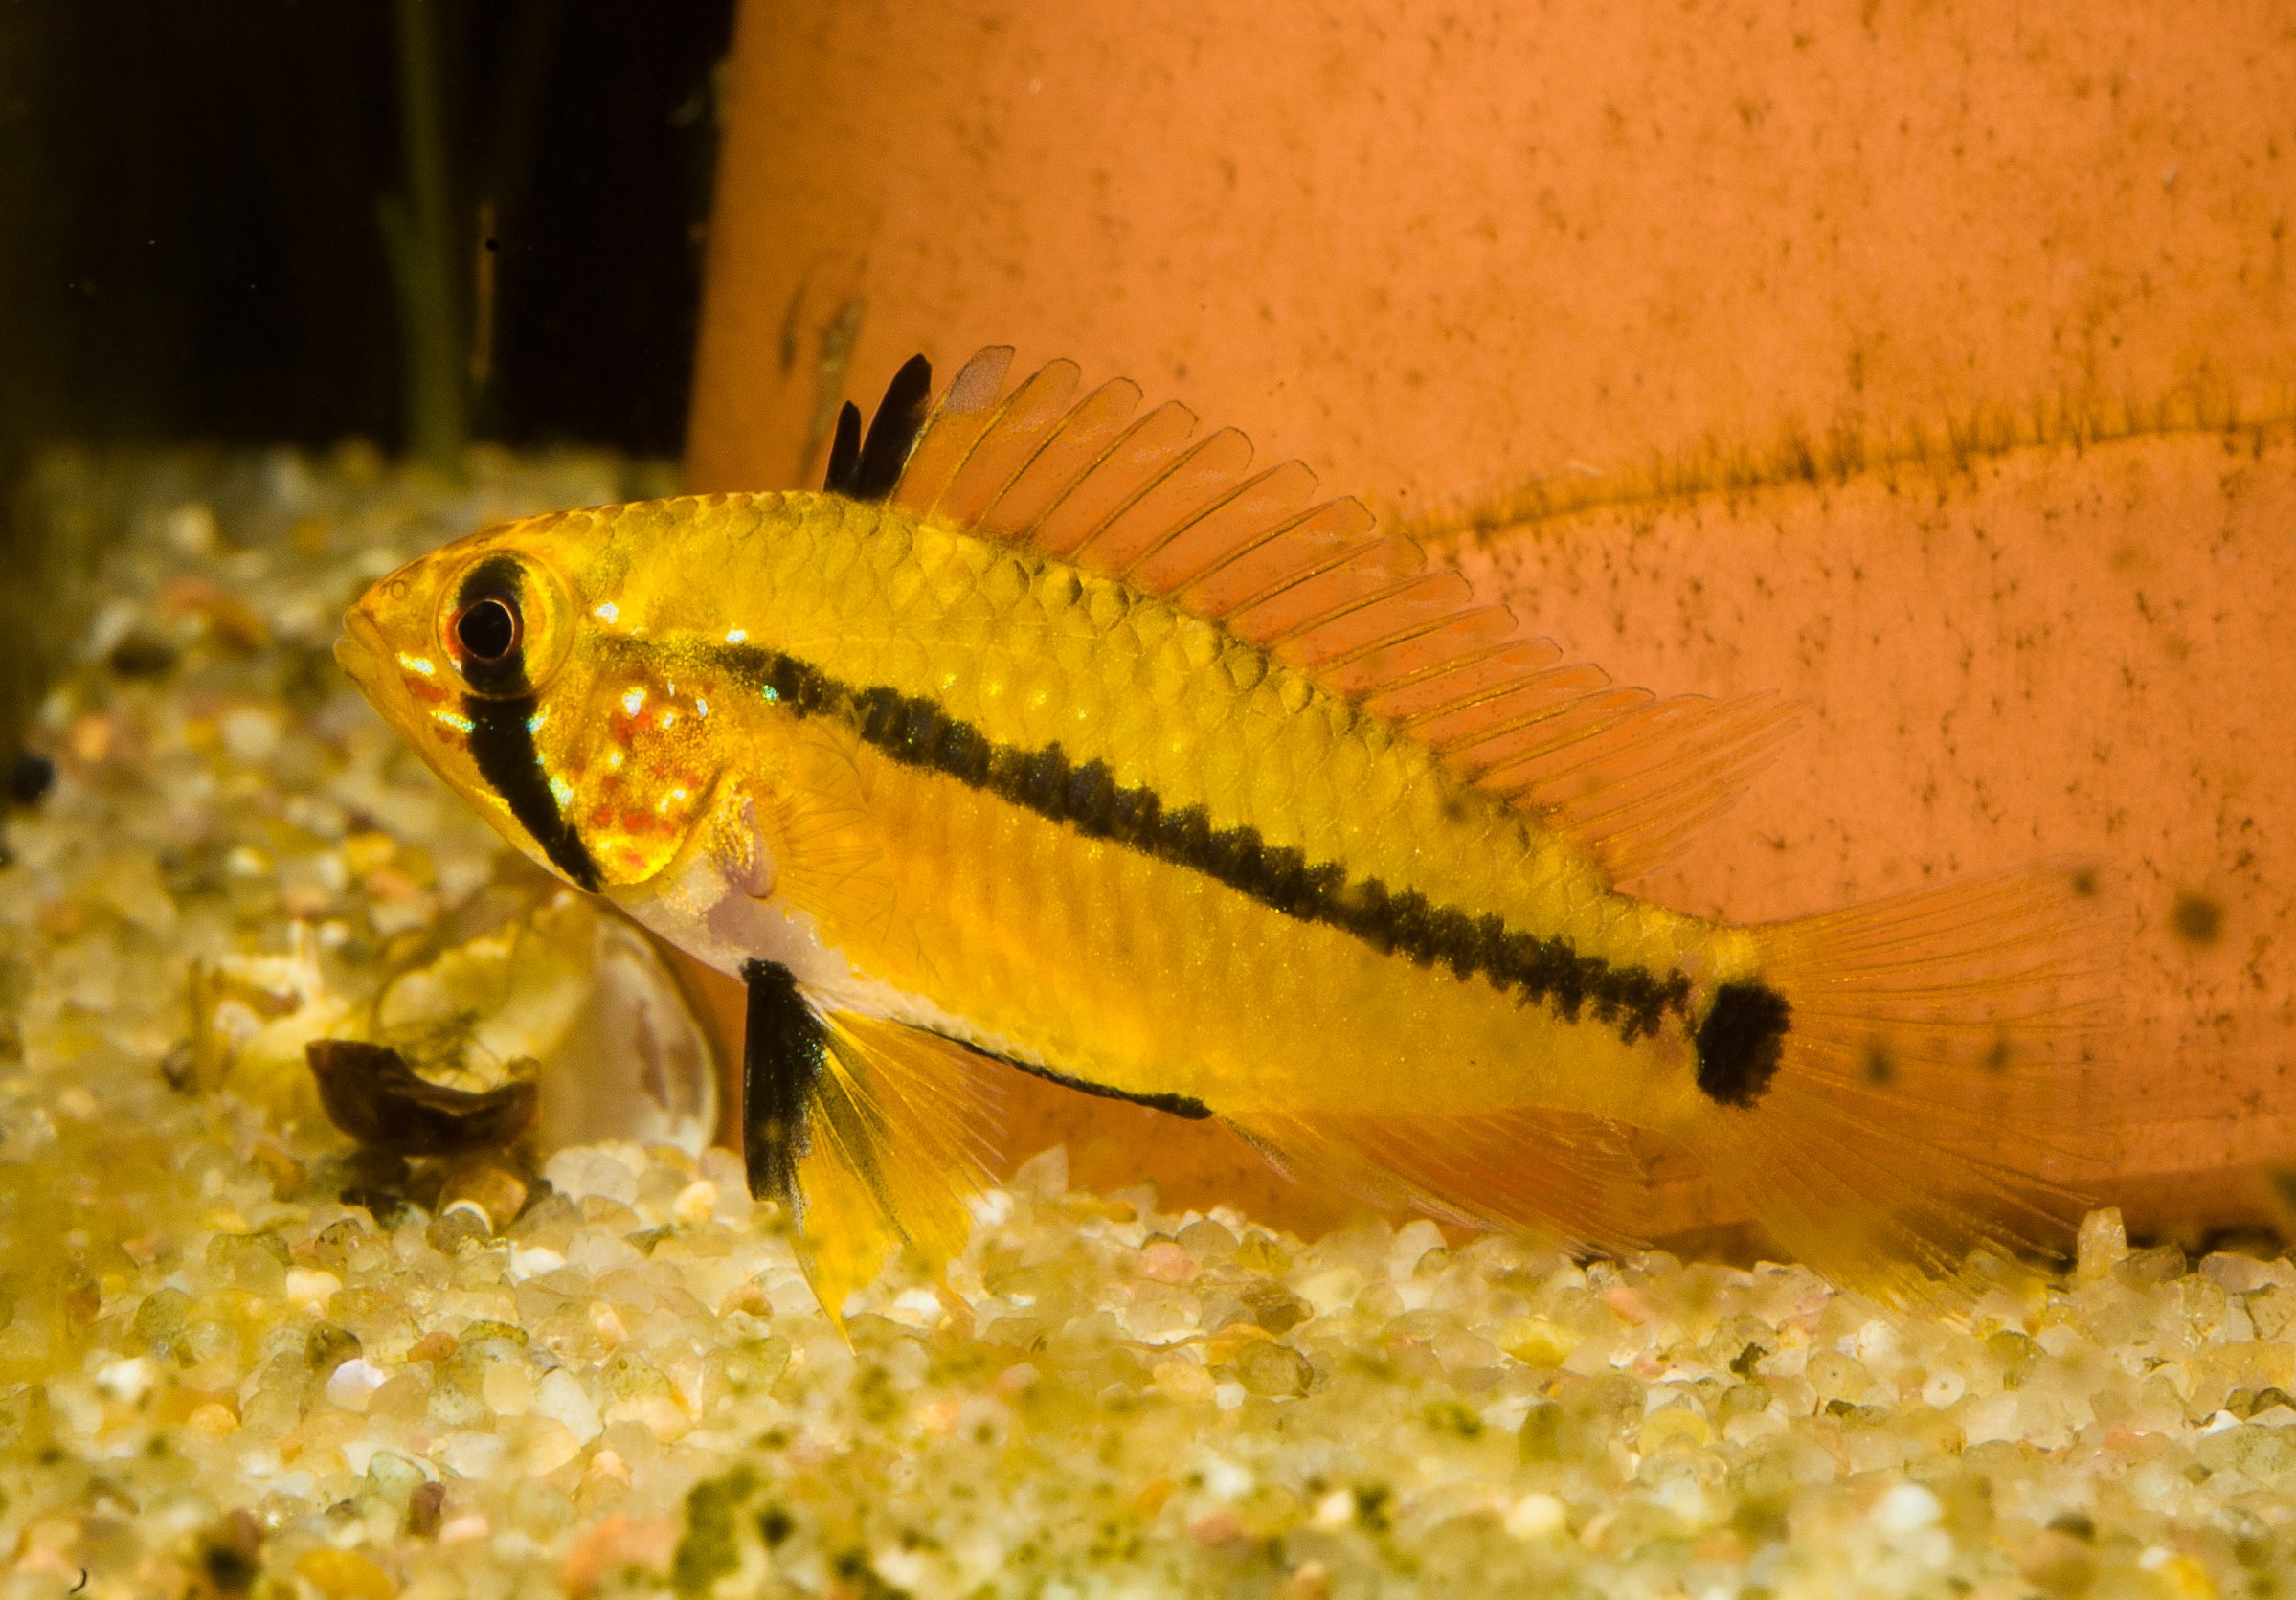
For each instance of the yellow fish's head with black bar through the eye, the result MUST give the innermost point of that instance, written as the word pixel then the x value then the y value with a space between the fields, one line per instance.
pixel 506 660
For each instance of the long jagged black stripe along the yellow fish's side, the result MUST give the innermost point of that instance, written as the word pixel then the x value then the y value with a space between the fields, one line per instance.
pixel 915 731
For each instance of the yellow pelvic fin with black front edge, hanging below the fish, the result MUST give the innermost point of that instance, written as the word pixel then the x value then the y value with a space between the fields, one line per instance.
pixel 871 1133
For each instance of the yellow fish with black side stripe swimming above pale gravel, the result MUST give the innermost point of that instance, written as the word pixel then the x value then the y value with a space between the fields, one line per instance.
pixel 1050 736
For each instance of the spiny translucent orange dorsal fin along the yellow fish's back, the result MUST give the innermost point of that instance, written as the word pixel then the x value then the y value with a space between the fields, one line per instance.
pixel 1181 515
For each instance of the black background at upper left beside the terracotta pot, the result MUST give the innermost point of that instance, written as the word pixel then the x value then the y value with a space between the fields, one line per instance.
pixel 189 242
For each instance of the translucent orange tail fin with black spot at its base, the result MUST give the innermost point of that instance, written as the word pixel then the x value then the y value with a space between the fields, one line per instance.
pixel 1916 1078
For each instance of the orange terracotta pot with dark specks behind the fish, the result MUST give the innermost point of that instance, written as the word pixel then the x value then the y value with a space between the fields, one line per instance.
pixel 1923 366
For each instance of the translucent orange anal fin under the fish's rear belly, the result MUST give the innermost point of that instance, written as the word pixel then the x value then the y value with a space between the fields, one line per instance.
pixel 1528 1167
